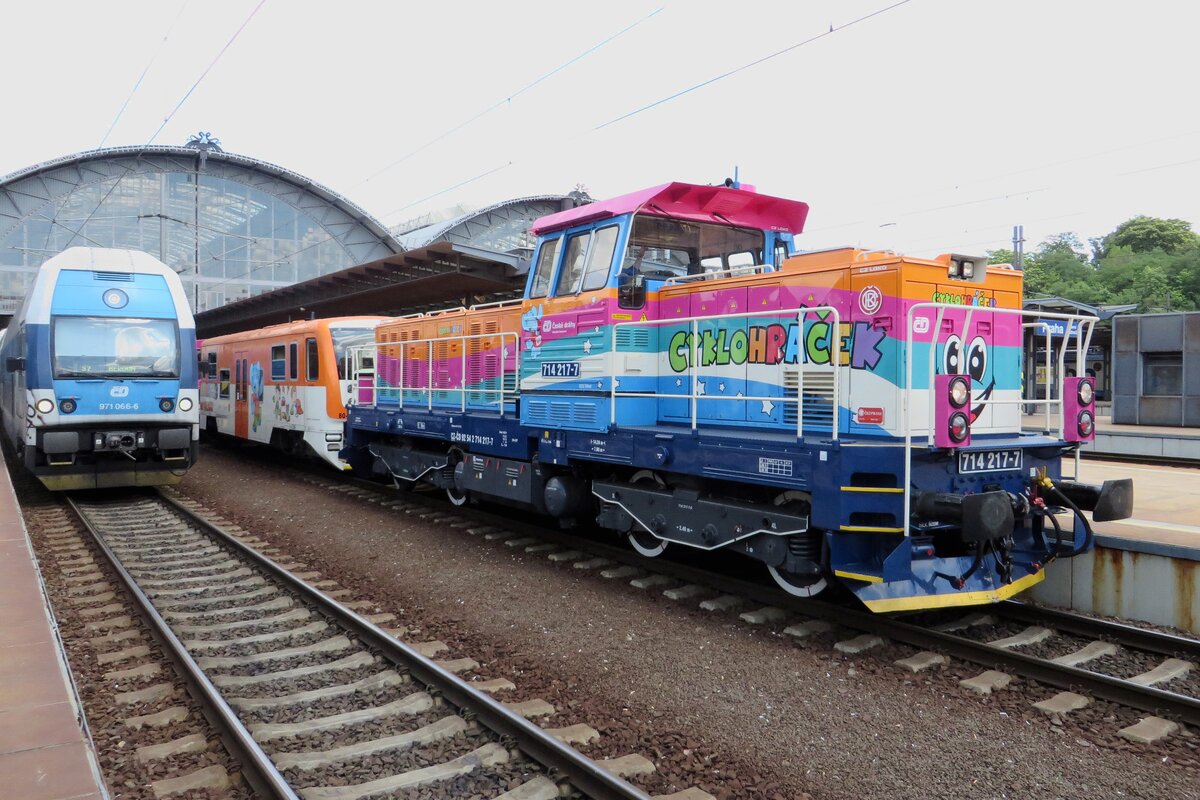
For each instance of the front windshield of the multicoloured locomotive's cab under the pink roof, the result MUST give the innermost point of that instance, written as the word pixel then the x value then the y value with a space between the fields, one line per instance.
pixel 662 249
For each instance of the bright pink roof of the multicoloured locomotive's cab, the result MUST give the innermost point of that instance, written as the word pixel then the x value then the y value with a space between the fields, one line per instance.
pixel 722 204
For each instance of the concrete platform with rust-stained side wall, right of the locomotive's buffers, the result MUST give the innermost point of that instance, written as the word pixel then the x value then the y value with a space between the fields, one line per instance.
pixel 1147 568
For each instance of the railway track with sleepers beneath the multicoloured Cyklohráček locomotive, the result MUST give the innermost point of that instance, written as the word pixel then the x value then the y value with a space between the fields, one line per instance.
pixel 1131 666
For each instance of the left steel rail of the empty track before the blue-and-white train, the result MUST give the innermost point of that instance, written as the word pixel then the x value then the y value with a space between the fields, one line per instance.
pixel 259 768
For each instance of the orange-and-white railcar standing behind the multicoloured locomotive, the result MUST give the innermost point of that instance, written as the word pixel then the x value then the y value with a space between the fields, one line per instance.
pixel 286 386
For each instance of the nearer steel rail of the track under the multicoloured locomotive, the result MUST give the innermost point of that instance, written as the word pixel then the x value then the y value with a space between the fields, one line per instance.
pixel 1117 690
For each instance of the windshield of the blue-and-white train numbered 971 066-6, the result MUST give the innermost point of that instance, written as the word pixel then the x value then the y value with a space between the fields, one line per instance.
pixel 107 347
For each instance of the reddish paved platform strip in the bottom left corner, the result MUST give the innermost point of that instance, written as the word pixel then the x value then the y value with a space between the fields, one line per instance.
pixel 45 751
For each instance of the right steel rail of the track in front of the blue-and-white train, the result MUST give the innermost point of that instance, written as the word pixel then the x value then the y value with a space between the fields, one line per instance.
pixel 583 773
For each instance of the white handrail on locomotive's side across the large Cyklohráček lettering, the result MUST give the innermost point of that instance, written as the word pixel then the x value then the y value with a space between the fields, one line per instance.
pixel 695 346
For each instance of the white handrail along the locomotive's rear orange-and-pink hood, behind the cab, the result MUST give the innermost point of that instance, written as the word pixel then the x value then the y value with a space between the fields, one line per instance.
pixel 376 390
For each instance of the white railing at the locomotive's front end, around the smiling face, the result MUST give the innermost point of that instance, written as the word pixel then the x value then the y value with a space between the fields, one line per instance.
pixel 1079 329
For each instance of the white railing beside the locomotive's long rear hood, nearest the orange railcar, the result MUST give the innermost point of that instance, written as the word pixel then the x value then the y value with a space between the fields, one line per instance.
pixel 507 380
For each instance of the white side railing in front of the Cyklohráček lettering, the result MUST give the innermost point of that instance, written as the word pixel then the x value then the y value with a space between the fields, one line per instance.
pixel 695 354
